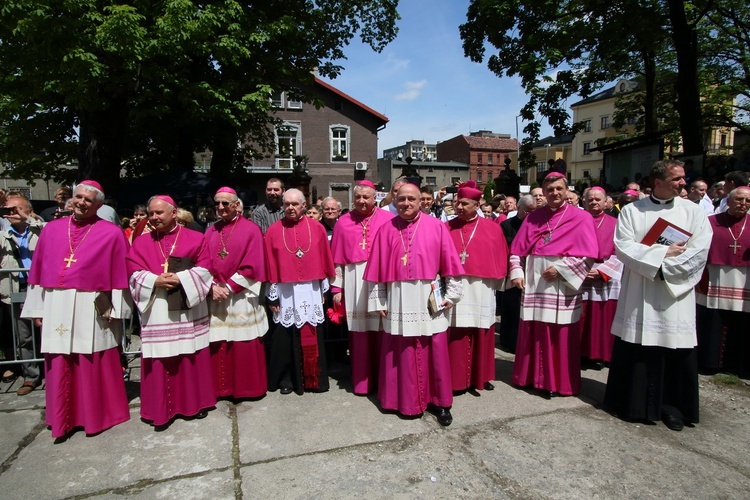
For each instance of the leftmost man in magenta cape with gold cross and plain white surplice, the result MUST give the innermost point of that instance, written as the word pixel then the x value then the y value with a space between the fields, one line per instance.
pixel 75 295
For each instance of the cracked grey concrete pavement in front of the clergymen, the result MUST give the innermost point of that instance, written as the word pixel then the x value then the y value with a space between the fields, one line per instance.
pixel 507 443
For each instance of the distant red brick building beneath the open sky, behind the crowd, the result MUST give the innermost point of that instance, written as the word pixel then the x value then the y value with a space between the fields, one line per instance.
pixel 483 151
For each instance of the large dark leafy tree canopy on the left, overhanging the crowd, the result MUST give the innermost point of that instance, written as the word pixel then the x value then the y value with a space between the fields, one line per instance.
pixel 144 84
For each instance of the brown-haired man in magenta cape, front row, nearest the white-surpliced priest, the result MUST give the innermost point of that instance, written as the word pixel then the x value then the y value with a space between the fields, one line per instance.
pixel 558 242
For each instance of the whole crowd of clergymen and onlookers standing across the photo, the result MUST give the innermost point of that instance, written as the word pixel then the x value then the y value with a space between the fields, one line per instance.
pixel 246 304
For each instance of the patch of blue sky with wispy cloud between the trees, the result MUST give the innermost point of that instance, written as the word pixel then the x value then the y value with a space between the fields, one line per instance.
pixel 423 83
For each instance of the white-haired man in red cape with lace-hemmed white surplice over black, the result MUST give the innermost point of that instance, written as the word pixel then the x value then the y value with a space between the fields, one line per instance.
pixel 299 267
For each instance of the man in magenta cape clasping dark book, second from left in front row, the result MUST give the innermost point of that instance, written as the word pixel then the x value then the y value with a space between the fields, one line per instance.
pixel 170 280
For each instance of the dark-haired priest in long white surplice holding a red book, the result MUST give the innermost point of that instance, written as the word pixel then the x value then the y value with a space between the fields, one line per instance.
pixel 654 371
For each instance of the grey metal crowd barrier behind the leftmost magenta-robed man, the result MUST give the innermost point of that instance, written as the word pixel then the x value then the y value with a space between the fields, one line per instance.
pixel 17 297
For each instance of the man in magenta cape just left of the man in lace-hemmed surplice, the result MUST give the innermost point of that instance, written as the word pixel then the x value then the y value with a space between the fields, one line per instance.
pixel 238 320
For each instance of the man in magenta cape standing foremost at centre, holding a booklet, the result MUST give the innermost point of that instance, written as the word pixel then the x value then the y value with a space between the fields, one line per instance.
pixel 408 254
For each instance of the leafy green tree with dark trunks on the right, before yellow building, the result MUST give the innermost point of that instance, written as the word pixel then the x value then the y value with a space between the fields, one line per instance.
pixel 587 44
